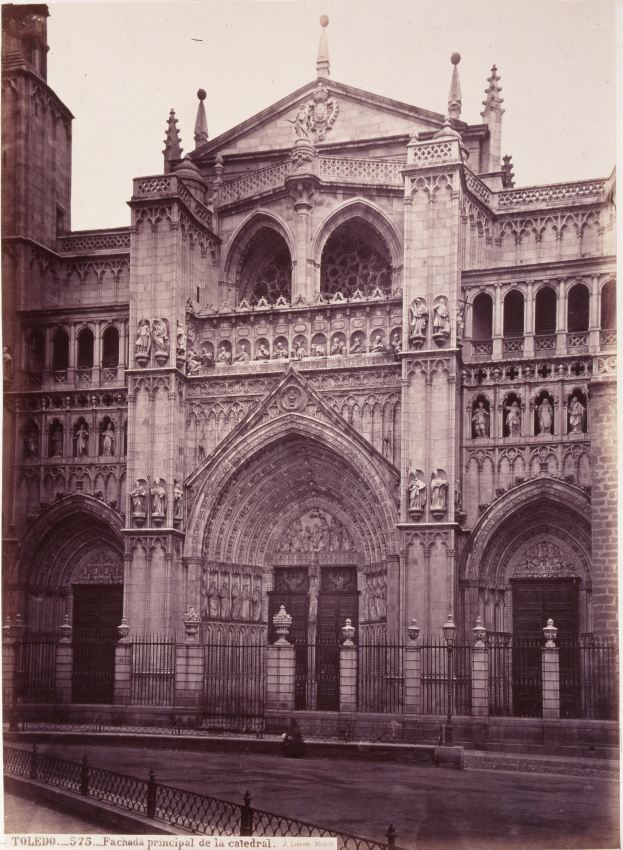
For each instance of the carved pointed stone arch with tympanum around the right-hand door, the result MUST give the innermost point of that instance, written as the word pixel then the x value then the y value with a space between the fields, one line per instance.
pixel 538 529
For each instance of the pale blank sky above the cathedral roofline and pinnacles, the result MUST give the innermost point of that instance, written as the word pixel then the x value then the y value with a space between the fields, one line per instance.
pixel 120 68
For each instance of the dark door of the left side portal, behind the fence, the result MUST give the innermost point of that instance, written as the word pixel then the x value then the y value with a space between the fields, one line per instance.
pixel 97 613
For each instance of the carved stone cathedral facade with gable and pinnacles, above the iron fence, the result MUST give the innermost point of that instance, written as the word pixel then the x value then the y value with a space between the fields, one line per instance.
pixel 336 361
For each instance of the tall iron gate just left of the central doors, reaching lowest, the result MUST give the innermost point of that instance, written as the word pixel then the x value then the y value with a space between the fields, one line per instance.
pixel 234 681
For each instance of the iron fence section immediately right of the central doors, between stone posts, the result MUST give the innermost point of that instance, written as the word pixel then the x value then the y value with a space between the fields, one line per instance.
pixel 380 678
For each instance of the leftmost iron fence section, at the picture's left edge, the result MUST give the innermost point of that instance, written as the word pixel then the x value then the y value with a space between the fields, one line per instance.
pixel 35 669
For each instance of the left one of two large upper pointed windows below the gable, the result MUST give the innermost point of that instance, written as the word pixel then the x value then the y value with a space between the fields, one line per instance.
pixel 266 269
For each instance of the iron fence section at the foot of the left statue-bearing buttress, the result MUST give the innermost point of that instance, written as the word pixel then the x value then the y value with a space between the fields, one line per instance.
pixel 153 671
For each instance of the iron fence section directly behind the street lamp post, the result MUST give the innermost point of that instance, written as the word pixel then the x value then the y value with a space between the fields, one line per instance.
pixel 436 683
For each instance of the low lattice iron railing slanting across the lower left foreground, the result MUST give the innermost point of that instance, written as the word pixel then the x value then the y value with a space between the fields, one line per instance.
pixel 194 812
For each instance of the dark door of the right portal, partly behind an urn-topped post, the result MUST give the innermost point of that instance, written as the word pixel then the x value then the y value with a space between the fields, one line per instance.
pixel 534 602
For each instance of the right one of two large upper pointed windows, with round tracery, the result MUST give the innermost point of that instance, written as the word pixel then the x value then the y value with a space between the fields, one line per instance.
pixel 355 257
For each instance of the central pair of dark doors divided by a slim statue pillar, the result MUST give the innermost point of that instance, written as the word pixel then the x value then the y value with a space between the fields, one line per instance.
pixel 320 597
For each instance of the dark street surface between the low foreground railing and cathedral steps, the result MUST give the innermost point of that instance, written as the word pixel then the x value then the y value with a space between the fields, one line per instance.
pixel 431 808
